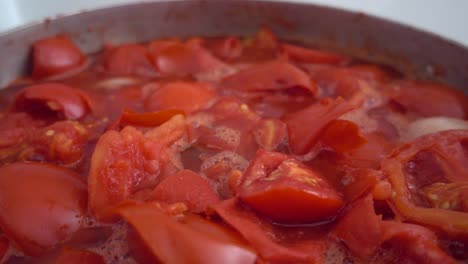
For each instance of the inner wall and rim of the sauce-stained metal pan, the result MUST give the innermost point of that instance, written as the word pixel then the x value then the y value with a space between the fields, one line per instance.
pixel 407 49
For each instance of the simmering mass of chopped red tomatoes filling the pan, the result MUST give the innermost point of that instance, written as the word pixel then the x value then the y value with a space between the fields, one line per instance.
pixel 229 150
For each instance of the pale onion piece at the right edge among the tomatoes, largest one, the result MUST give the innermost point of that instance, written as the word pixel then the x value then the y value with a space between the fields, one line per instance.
pixel 430 125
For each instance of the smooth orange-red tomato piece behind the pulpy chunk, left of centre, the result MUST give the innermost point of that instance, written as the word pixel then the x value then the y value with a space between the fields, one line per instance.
pixel 185 96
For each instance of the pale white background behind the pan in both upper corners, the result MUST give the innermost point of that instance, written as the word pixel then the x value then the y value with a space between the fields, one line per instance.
pixel 448 18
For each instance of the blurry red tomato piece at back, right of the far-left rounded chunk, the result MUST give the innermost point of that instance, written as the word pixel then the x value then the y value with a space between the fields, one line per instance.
pixel 128 59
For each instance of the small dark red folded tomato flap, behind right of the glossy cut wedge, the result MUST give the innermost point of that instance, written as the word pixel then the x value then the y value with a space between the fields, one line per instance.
pixel 342 136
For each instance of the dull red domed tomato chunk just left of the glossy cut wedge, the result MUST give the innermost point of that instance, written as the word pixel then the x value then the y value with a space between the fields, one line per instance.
pixel 186 187
